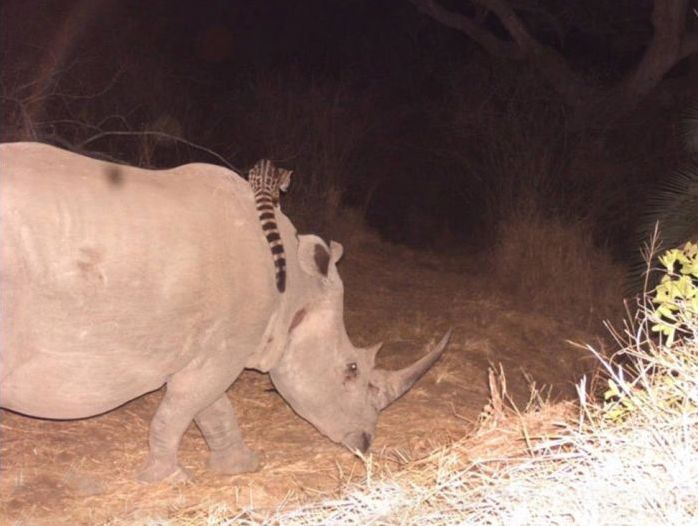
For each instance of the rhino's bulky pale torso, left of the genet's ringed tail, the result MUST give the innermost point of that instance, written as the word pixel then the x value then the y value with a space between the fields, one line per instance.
pixel 112 277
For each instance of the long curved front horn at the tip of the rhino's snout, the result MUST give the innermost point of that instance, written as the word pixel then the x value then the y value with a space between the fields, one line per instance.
pixel 391 385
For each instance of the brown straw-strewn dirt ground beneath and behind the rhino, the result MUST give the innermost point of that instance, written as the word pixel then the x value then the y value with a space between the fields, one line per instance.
pixel 83 472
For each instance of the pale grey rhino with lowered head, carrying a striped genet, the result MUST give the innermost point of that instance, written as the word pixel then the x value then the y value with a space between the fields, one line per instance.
pixel 116 280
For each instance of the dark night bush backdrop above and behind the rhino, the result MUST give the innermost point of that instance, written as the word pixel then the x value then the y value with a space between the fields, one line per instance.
pixel 431 137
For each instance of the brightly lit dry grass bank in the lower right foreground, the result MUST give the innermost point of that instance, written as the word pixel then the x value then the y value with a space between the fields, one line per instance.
pixel 577 464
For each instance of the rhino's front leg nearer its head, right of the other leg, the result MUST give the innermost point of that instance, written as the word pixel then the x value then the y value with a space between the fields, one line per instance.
pixel 229 454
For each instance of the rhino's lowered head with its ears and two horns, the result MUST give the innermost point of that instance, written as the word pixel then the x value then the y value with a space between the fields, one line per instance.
pixel 327 380
